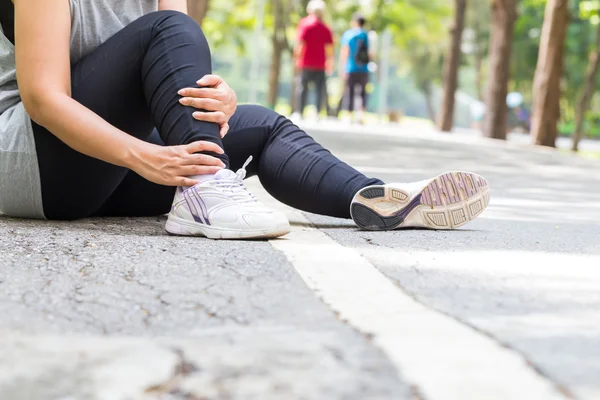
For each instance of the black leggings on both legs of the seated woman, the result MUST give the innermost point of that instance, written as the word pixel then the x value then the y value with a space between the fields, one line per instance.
pixel 132 81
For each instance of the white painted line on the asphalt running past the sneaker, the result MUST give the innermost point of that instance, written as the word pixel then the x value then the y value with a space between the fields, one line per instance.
pixel 445 359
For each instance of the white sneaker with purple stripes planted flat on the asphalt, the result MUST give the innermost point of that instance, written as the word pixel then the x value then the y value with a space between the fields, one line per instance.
pixel 223 208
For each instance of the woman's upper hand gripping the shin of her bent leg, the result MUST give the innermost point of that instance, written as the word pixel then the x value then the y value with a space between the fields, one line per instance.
pixel 217 100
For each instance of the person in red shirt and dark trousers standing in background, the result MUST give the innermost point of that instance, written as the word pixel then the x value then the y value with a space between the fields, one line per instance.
pixel 314 56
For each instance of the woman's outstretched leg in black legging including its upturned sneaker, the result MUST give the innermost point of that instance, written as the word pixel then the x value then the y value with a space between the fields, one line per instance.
pixel 299 172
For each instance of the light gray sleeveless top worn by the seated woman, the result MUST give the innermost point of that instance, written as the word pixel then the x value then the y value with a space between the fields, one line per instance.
pixel 92 23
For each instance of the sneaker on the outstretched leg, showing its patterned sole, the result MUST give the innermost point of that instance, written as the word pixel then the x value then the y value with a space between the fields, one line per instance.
pixel 448 201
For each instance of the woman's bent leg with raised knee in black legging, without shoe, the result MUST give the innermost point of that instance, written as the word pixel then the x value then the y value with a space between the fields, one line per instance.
pixel 131 81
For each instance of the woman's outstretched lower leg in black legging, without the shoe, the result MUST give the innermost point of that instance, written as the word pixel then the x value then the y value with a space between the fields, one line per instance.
pixel 292 167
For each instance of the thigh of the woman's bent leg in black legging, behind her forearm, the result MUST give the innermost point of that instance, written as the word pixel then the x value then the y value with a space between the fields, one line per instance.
pixel 109 82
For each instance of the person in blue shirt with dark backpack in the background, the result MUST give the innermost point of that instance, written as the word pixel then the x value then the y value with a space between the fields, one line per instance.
pixel 355 56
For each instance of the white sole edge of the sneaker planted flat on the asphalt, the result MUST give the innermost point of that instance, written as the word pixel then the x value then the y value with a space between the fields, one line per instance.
pixel 181 227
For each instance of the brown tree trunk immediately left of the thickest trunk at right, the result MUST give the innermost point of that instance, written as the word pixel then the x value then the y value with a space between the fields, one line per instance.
pixel 504 15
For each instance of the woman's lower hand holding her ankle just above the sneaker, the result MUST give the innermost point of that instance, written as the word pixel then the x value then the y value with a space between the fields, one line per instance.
pixel 173 165
